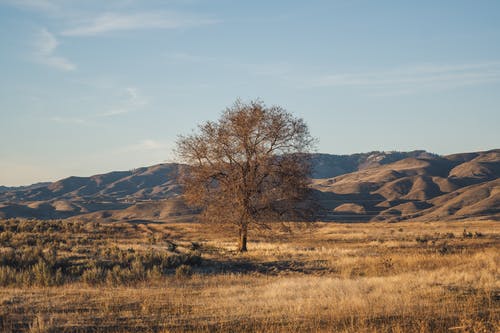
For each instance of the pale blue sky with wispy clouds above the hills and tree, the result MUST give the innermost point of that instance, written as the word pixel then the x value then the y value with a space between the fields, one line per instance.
pixel 92 86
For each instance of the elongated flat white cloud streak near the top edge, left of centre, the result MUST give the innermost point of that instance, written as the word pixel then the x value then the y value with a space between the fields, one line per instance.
pixel 110 22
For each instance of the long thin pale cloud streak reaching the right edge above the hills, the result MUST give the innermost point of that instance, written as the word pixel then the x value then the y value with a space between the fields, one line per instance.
pixel 414 79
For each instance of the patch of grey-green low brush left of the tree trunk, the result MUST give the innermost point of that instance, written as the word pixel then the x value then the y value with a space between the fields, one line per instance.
pixel 47 253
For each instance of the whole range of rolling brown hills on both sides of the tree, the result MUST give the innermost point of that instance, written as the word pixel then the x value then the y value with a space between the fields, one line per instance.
pixel 372 186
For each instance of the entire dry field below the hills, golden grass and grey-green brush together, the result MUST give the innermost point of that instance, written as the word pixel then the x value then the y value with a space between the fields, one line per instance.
pixel 137 276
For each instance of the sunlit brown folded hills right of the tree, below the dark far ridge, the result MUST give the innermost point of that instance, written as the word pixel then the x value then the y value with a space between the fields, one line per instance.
pixel 424 187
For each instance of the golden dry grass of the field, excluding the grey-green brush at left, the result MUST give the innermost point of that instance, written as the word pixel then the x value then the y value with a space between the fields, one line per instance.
pixel 372 277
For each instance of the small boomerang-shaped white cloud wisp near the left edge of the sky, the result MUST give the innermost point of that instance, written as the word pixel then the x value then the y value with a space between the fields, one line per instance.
pixel 45 48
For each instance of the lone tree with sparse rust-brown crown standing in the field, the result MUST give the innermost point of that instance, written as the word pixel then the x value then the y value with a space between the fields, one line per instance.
pixel 248 168
